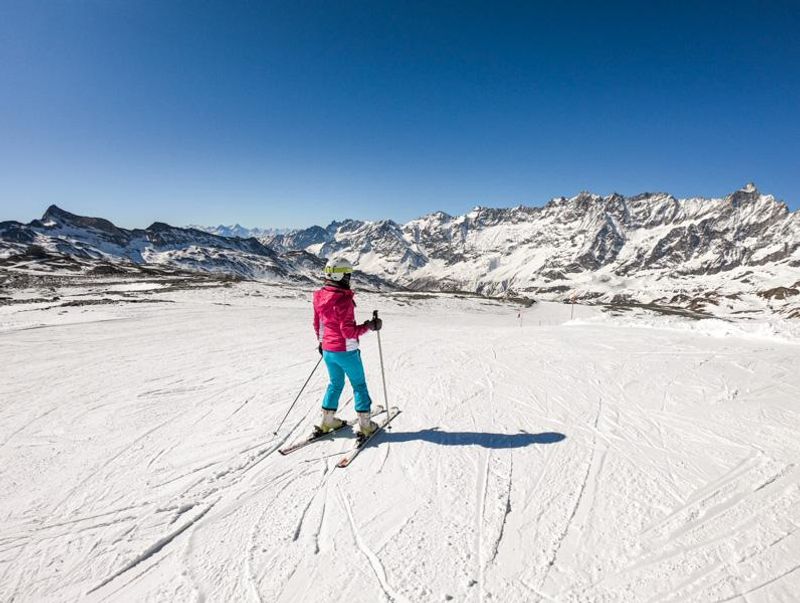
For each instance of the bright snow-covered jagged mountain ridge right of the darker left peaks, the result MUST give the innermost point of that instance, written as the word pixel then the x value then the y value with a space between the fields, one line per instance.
pixel 647 248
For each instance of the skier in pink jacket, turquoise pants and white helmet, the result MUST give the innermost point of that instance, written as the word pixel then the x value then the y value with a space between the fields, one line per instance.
pixel 338 333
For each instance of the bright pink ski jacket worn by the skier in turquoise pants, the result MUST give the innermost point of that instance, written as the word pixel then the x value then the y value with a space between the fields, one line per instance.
pixel 334 319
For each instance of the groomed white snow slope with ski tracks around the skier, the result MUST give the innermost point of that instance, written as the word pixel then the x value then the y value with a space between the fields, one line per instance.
pixel 538 456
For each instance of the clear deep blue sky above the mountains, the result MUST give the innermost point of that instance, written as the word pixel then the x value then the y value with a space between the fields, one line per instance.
pixel 294 113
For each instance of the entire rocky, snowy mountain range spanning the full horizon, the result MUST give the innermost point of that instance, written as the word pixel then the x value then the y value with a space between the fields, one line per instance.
pixel 737 254
